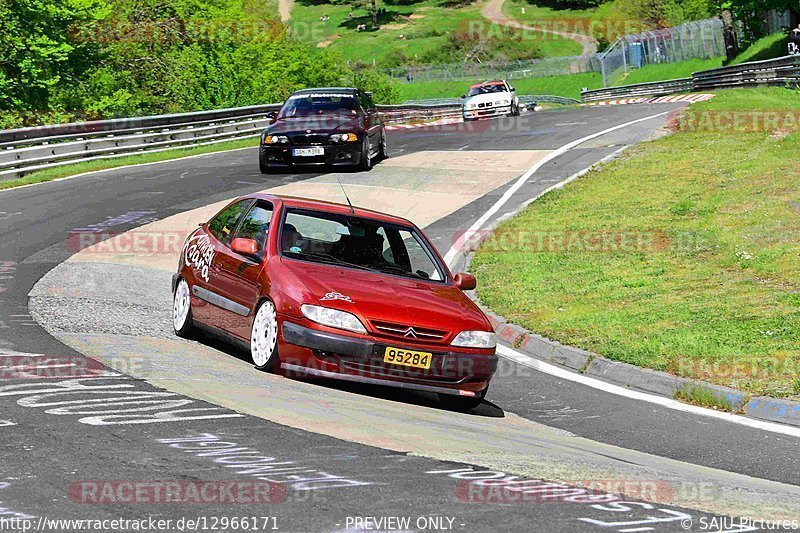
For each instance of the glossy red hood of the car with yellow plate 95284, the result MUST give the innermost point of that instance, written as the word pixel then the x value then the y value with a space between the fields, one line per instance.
pixel 387 298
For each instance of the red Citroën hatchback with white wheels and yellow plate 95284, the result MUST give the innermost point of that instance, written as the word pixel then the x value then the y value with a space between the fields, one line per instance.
pixel 319 289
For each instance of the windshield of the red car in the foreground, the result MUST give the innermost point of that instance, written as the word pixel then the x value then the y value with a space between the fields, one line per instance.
pixel 358 242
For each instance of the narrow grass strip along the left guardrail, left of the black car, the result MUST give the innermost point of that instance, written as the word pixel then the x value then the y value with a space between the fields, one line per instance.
pixel 137 159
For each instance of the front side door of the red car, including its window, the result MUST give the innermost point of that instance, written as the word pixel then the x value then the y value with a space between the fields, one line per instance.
pixel 239 274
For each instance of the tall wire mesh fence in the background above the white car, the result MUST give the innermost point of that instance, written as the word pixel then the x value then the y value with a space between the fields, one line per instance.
pixel 694 40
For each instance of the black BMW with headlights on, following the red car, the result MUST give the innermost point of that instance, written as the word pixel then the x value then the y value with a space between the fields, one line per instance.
pixel 331 126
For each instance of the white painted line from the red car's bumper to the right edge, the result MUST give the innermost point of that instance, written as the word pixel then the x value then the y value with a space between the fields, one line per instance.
pixel 663 401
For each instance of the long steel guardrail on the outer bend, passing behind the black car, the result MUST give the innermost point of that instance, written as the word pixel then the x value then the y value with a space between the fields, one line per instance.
pixel 27 150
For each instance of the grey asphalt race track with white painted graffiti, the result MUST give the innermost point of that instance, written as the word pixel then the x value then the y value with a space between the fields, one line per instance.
pixel 533 425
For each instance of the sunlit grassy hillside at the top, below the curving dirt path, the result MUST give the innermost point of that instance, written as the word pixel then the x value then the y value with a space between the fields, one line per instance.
pixel 425 27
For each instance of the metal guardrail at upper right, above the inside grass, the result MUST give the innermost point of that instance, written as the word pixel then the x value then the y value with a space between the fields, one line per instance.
pixel 782 71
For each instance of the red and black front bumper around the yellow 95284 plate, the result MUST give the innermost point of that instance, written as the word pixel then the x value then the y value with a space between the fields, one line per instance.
pixel 314 352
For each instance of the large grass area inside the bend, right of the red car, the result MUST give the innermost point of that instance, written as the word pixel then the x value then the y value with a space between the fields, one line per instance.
pixel 683 255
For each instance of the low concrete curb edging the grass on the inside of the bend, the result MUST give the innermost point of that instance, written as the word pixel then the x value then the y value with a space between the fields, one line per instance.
pixel 624 374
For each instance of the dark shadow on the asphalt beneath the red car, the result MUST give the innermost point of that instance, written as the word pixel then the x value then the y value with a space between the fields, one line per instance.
pixel 485 409
